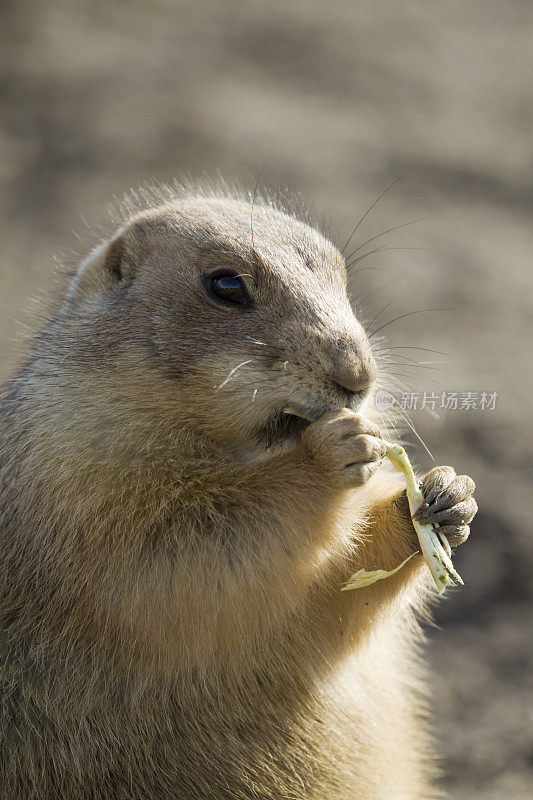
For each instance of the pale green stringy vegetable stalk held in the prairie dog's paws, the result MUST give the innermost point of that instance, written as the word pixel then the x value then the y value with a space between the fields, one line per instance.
pixel 435 548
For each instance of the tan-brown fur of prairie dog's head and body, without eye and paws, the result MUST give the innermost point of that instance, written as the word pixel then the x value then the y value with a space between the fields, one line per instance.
pixel 172 620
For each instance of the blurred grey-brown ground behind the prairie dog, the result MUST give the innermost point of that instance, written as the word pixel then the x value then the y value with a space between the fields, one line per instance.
pixel 333 100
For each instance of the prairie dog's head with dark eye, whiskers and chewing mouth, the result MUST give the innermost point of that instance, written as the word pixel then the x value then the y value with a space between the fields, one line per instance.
pixel 207 312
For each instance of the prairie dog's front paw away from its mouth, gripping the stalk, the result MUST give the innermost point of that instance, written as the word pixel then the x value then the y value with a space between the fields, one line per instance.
pixel 449 503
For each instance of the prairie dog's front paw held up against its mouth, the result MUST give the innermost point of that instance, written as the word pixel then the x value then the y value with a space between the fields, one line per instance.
pixel 345 445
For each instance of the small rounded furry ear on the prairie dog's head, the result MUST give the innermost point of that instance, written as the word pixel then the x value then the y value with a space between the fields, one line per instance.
pixel 109 264
